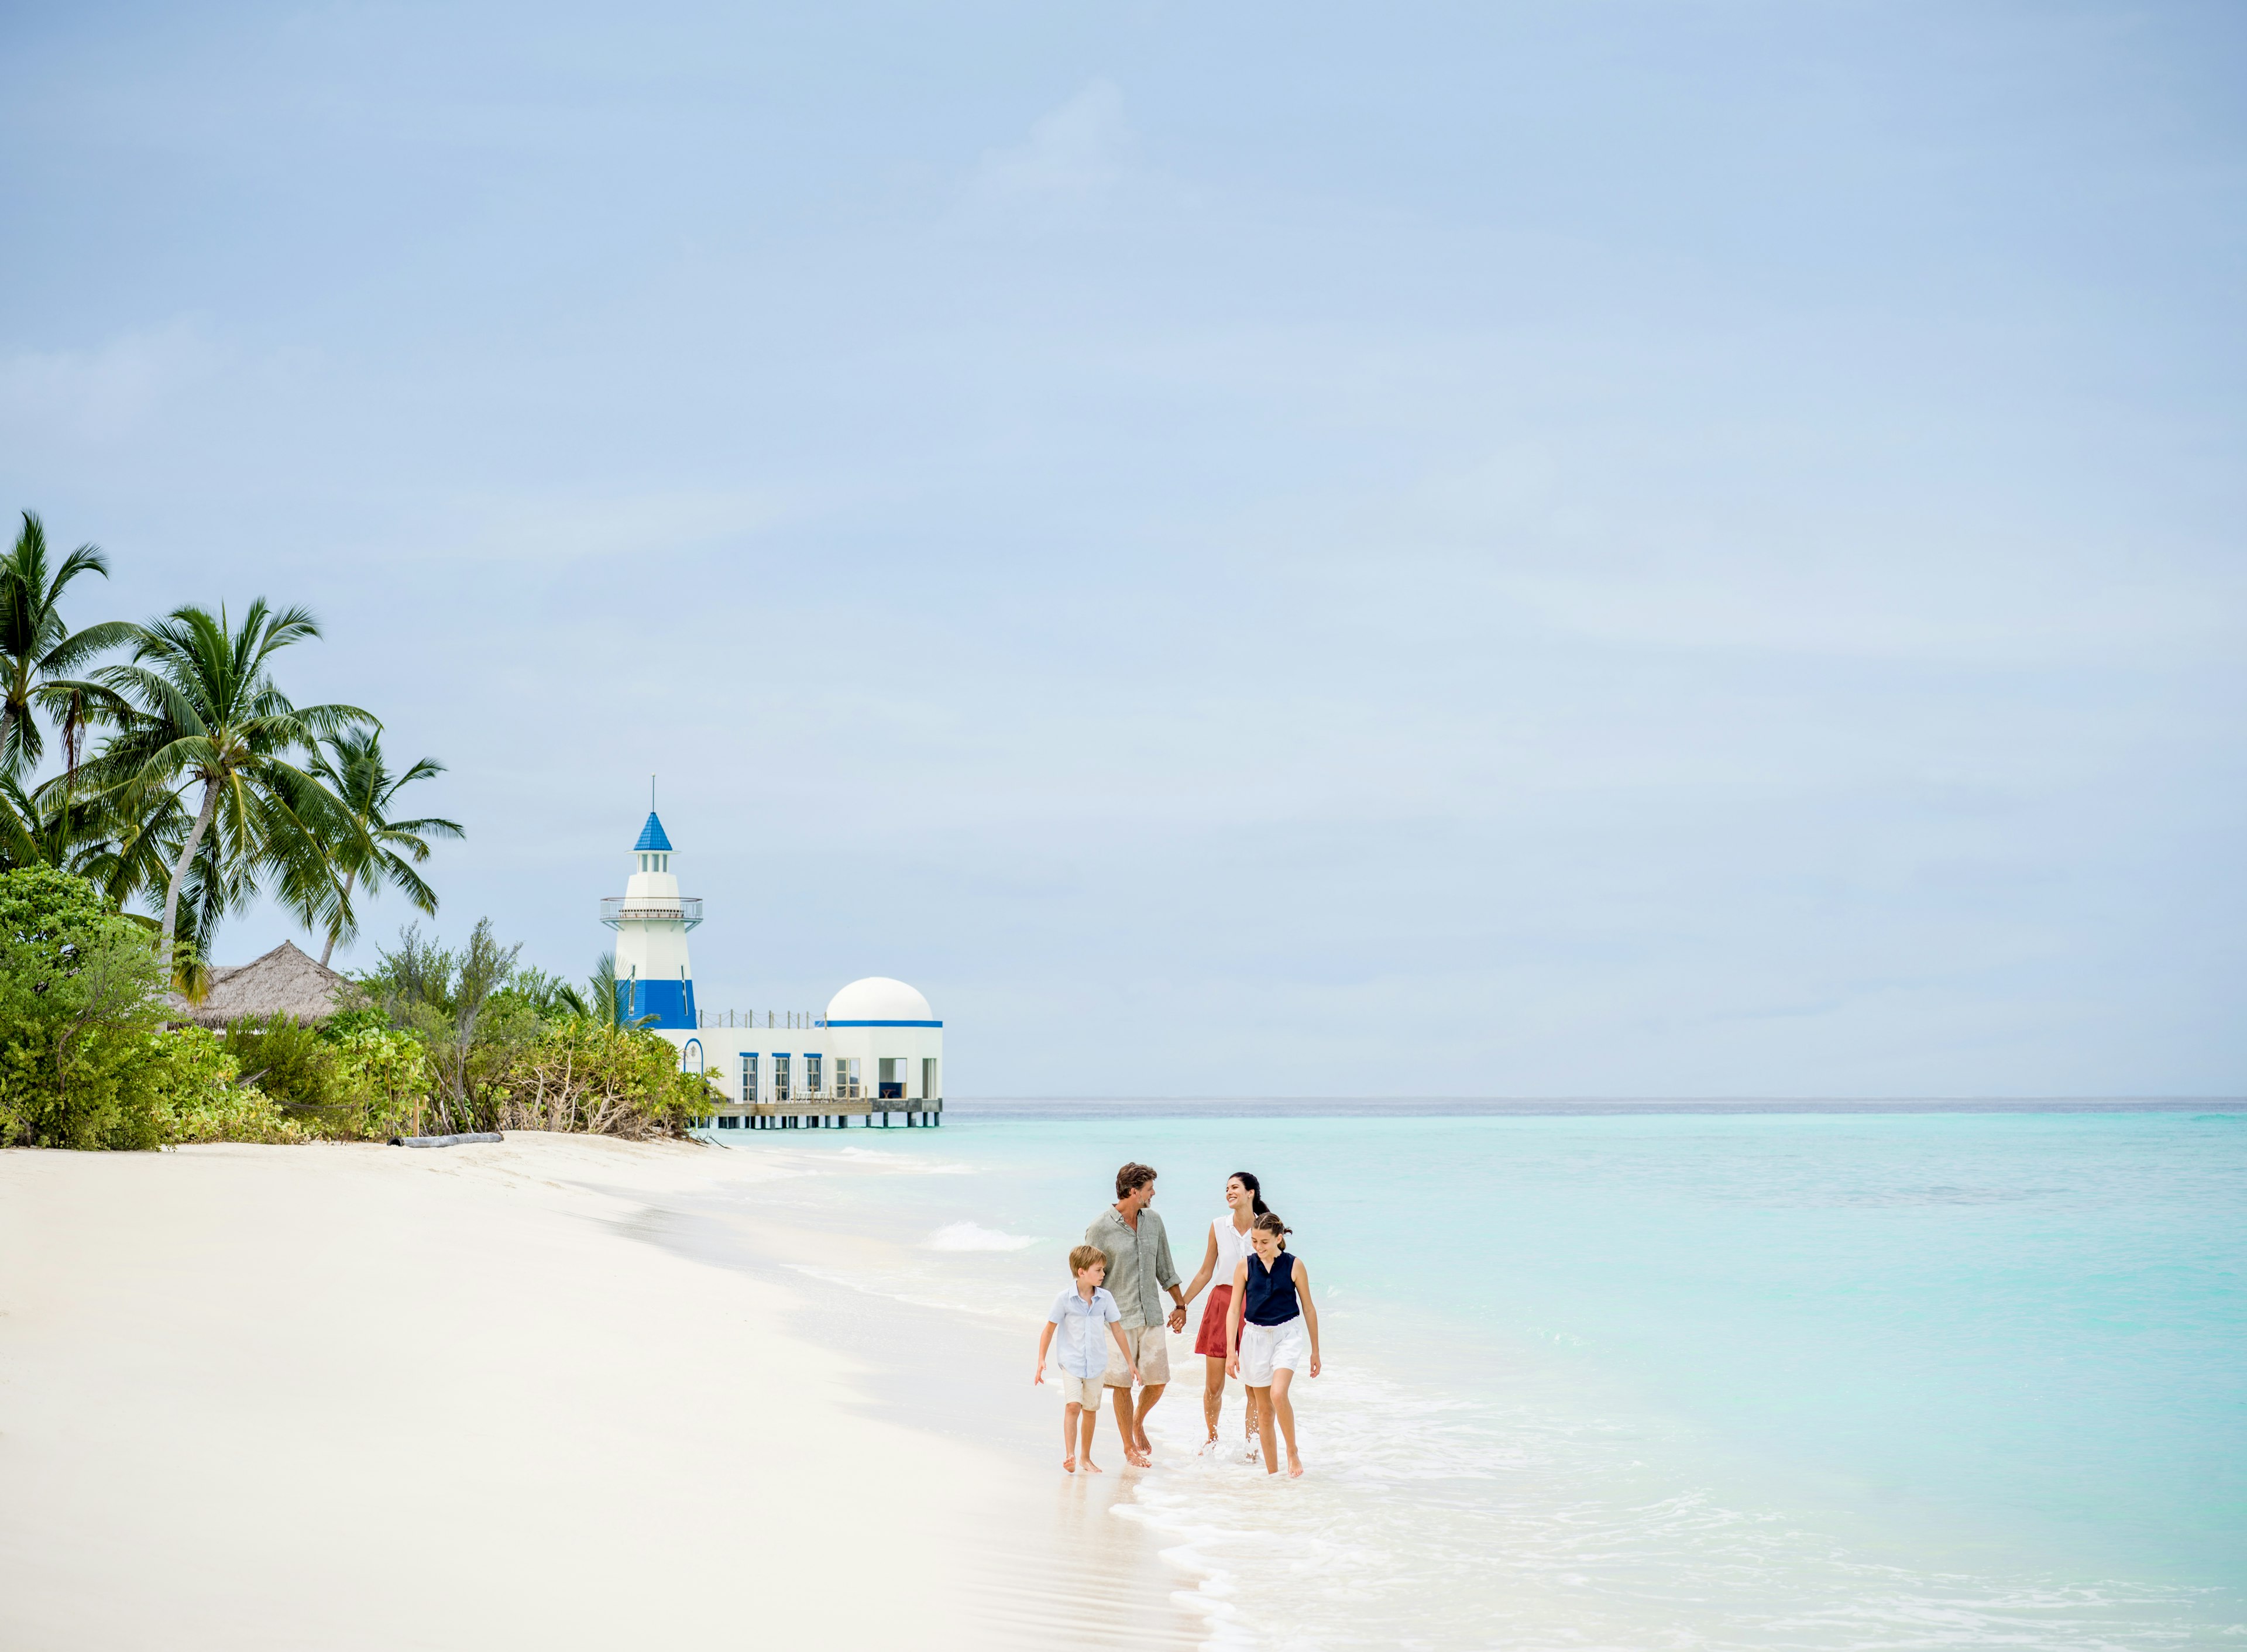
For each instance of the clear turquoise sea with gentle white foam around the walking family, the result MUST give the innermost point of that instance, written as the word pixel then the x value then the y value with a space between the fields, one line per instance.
pixel 1763 1381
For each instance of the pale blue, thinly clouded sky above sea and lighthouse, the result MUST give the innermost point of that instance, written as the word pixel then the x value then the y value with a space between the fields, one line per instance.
pixel 1271 550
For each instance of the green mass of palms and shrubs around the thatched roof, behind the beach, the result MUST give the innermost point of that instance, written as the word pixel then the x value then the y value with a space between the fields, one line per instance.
pixel 185 783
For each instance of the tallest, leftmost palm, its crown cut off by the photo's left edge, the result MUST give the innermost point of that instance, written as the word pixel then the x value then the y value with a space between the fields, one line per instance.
pixel 37 651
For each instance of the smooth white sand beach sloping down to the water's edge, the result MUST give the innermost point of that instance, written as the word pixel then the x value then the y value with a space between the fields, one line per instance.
pixel 361 1397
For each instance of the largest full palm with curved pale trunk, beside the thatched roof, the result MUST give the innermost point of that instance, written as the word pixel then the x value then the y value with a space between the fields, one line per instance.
pixel 197 707
